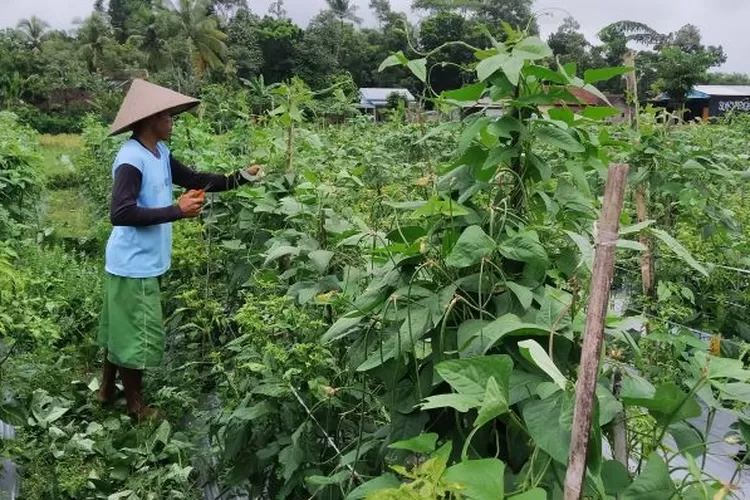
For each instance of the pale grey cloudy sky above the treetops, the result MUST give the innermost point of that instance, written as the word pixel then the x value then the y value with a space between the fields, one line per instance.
pixel 722 22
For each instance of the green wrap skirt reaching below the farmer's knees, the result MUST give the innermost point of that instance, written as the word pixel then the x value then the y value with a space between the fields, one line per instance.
pixel 131 327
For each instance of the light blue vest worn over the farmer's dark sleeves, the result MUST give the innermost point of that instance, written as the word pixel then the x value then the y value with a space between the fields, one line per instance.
pixel 143 252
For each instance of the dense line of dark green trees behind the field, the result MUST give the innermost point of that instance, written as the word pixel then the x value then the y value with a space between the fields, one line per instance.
pixel 52 77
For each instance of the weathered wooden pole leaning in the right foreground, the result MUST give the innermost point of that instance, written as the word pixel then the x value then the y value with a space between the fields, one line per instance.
pixel 601 281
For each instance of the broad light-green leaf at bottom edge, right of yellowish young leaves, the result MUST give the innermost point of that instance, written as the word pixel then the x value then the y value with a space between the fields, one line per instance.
pixel 481 479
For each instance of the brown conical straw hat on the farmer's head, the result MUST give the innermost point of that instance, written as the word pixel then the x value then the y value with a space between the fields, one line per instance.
pixel 145 99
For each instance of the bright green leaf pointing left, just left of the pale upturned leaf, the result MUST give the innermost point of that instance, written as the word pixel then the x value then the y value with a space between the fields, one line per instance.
pixel 470 376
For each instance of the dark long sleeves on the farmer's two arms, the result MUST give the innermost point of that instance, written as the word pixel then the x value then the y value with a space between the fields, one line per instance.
pixel 124 210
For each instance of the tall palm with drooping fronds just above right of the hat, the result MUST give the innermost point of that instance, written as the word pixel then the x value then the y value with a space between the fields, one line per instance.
pixel 195 24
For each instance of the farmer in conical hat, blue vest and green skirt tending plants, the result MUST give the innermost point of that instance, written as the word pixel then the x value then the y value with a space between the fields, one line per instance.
pixel 139 249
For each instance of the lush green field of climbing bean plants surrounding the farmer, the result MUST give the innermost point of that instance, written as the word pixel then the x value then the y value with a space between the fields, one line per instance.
pixel 397 310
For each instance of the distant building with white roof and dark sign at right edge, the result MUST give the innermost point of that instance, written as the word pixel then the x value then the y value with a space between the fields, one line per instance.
pixel 711 101
